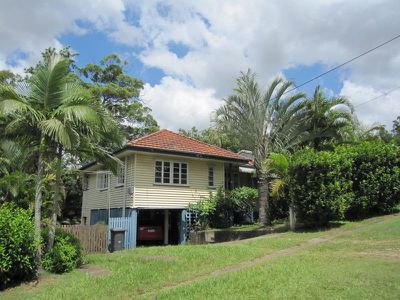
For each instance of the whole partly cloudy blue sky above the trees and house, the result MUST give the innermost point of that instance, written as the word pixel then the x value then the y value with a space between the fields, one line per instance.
pixel 189 53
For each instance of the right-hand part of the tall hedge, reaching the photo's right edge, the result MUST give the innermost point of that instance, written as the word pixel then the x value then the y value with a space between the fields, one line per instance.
pixel 375 178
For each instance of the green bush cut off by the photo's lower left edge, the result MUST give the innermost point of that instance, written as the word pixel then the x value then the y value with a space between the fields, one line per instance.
pixel 17 245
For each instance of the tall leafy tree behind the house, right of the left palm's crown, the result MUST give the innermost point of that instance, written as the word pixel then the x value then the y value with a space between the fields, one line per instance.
pixel 119 92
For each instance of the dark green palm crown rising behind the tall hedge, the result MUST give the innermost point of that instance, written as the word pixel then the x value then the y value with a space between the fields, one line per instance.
pixel 329 118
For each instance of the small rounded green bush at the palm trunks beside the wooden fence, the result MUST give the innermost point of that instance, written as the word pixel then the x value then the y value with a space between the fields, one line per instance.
pixel 65 255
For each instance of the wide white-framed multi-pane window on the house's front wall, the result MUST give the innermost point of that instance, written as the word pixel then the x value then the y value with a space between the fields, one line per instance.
pixel 167 172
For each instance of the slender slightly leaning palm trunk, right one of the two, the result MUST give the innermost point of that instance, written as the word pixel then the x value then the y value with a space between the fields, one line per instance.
pixel 56 201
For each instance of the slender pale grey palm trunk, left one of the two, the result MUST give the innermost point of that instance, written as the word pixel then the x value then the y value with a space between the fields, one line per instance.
pixel 38 201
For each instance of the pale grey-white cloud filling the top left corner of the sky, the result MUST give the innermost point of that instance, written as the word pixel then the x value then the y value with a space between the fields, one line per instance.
pixel 31 26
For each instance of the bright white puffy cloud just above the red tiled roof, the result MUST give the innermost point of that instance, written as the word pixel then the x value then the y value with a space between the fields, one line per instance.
pixel 176 104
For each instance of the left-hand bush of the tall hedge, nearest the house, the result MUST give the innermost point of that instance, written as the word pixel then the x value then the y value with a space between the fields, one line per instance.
pixel 320 186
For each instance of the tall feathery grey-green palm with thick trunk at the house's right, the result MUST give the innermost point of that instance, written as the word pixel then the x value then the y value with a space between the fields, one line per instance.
pixel 273 121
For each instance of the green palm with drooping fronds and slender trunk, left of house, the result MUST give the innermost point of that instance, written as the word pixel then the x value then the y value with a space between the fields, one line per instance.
pixel 56 113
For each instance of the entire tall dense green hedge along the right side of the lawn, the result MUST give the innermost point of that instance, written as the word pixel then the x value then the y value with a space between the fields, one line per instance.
pixel 349 182
